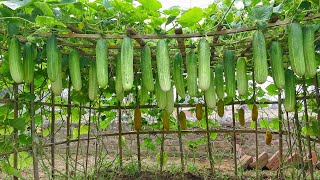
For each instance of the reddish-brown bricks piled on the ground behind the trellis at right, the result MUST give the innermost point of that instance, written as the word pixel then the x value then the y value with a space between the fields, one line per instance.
pixel 266 162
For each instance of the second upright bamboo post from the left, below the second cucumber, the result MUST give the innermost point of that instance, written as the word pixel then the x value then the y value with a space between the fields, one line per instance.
pixel 34 138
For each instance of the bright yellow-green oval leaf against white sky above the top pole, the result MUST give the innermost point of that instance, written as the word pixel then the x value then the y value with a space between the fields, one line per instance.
pixel 191 17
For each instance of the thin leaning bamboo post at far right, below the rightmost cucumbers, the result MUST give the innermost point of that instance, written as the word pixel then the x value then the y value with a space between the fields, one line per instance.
pixel 307 125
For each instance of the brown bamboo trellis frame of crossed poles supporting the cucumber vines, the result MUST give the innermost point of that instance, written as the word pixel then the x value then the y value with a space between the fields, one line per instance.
pixel 179 36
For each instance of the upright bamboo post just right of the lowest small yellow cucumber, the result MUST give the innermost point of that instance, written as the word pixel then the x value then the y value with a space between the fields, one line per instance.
pixel 280 136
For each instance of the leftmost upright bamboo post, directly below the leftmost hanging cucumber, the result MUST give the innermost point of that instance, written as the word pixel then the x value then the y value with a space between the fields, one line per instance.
pixel 15 132
